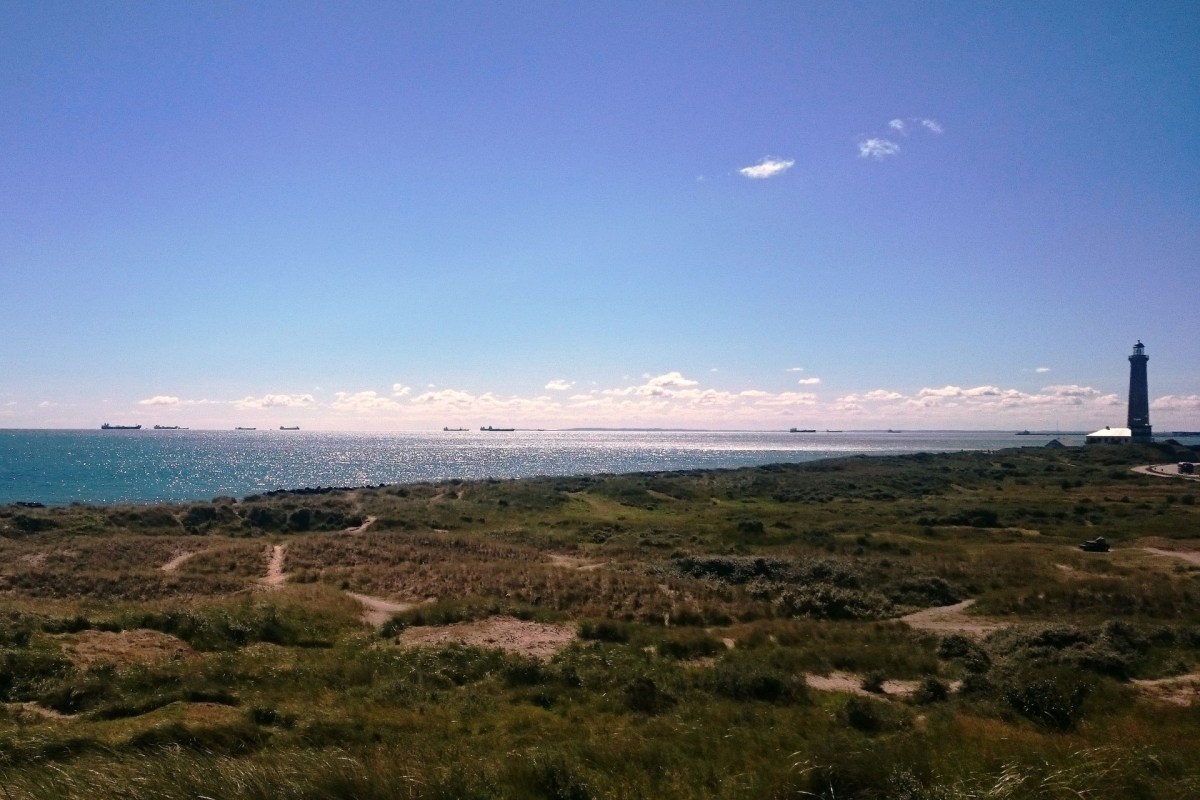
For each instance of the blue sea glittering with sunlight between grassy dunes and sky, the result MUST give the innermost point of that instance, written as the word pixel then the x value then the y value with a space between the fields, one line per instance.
pixel 103 467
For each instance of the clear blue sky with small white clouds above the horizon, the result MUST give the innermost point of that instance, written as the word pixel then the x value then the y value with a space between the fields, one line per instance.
pixel 533 214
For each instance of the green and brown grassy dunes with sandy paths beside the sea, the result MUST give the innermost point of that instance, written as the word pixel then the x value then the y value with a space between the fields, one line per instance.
pixel 719 634
